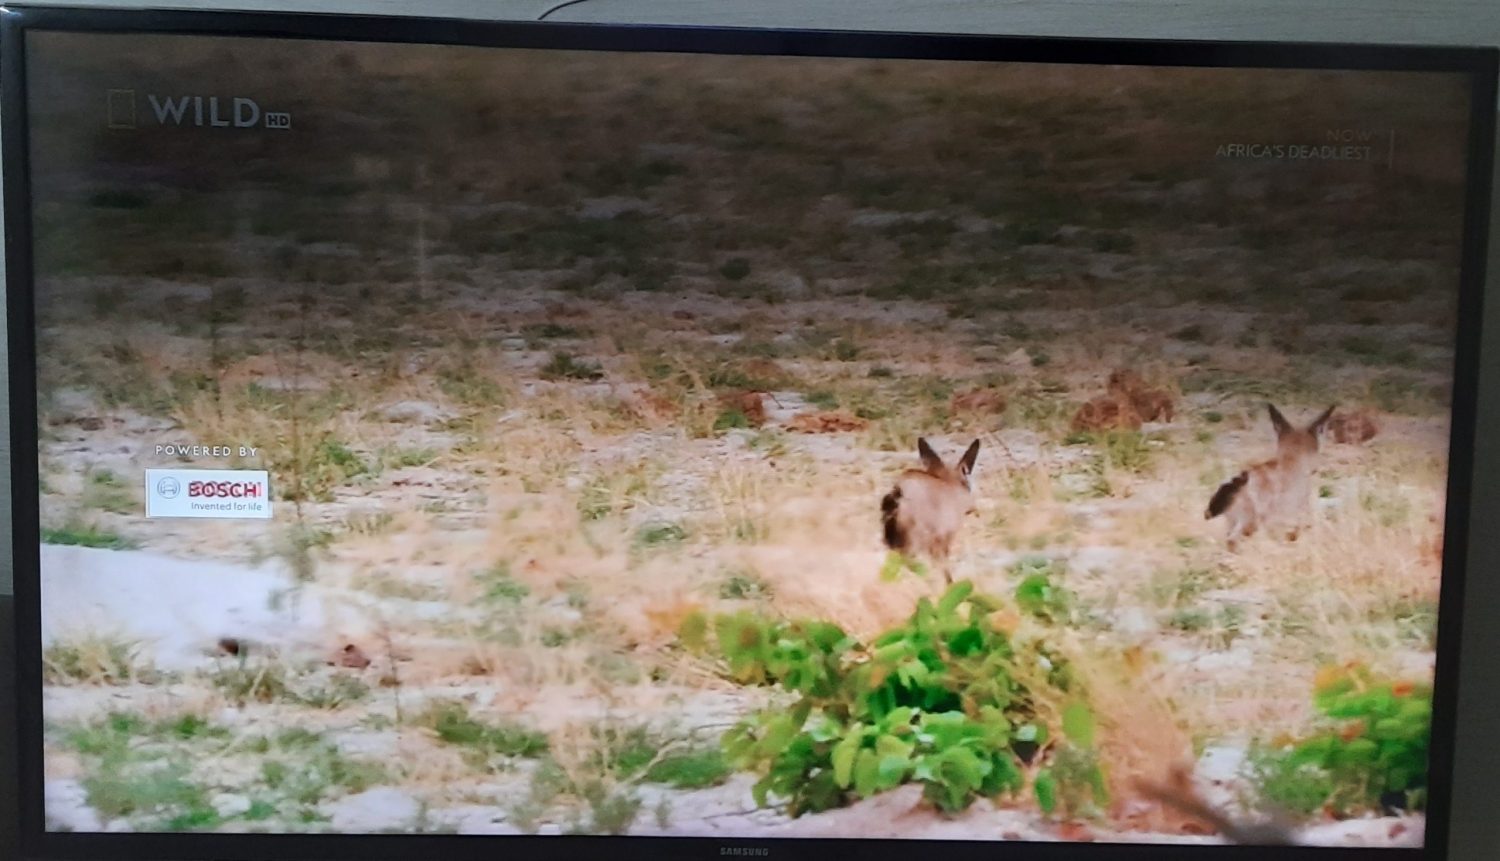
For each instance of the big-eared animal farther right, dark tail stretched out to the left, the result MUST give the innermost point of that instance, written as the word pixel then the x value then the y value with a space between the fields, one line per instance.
pixel 1277 494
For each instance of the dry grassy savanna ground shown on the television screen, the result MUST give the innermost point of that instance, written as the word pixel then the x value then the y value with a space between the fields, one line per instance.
pixel 613 350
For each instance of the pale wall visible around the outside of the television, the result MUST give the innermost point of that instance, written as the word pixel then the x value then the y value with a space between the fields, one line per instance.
pixel 1477 815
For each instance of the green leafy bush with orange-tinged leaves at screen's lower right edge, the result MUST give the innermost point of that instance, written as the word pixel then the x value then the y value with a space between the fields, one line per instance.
pixel 1372 754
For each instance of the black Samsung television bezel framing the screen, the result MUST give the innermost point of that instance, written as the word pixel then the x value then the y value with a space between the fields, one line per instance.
pixel 1478 64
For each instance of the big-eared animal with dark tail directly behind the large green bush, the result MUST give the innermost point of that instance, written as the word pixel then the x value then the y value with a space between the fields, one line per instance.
pixel 926 508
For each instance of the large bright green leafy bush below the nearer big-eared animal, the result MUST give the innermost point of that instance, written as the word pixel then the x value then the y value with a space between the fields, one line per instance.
pixel 947 700
